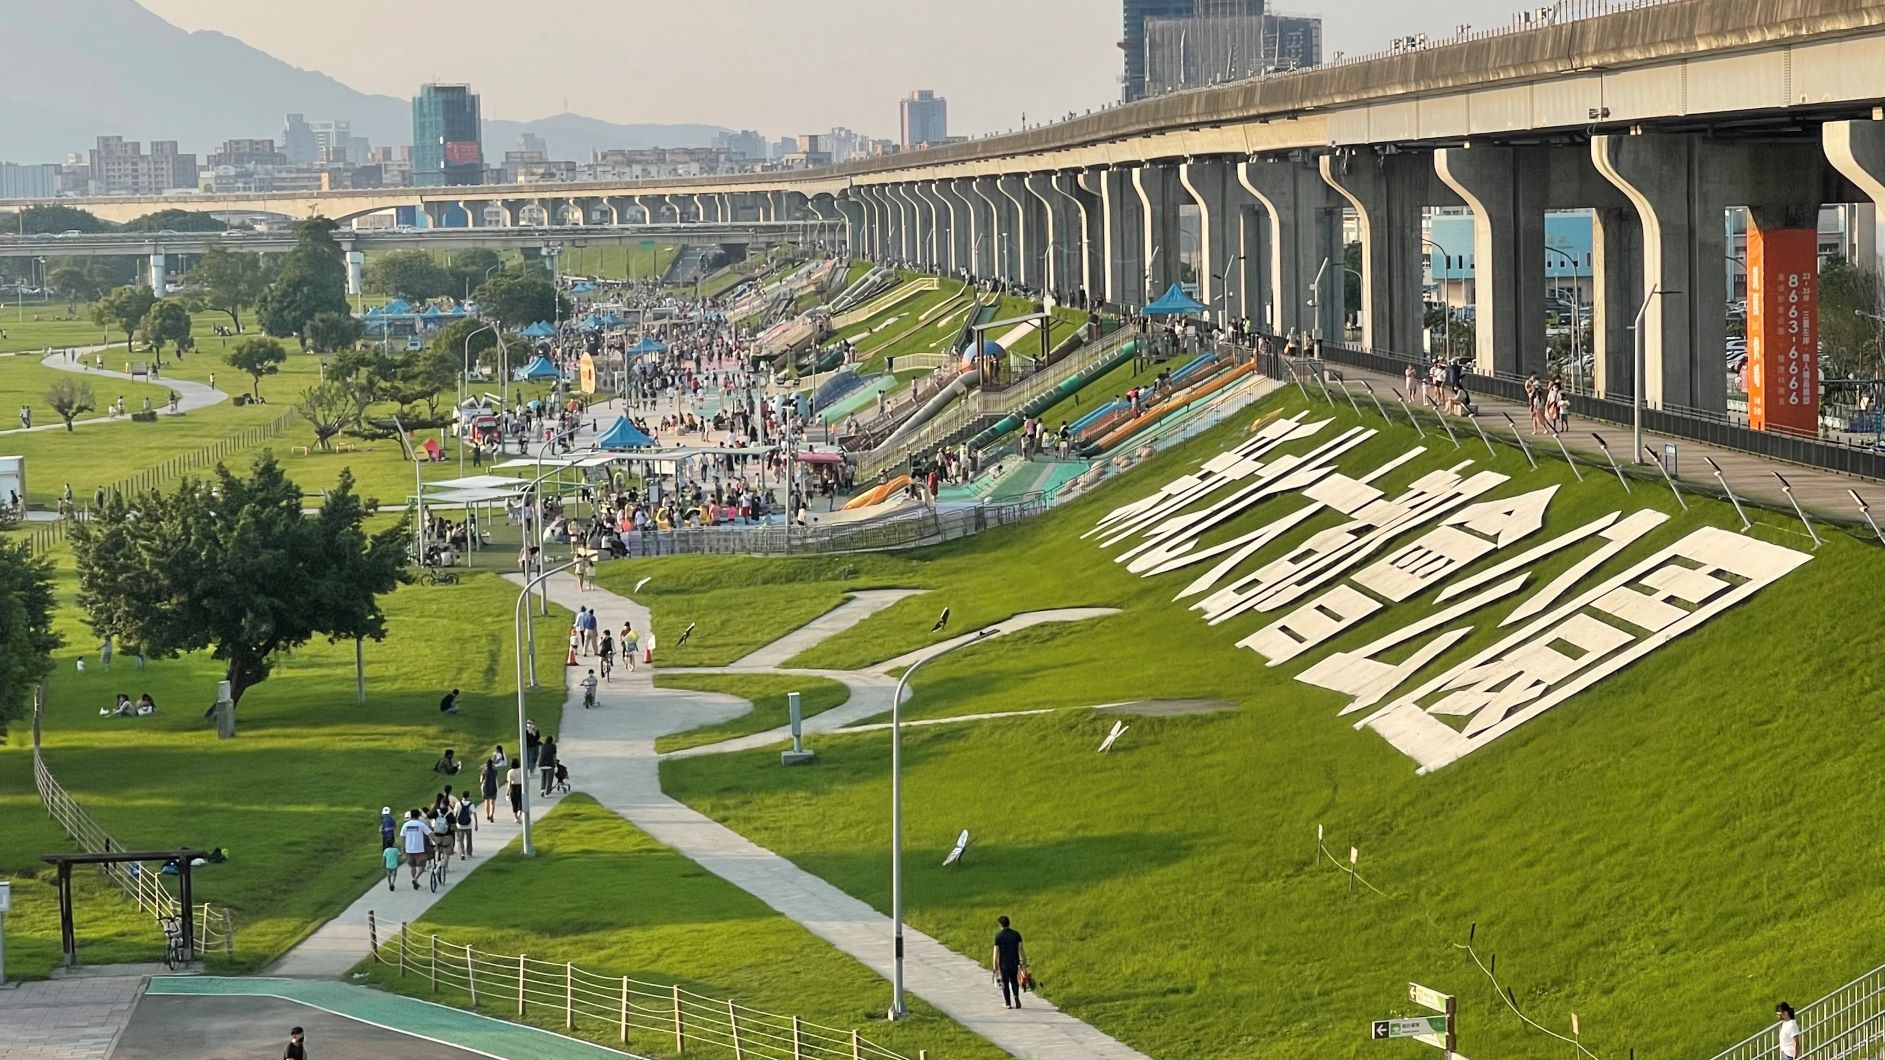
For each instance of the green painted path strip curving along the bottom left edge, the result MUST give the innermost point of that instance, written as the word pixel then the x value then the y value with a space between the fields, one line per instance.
pixel 406 1016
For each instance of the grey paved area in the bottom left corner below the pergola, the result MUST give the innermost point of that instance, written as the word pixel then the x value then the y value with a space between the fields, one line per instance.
pixel 65 1019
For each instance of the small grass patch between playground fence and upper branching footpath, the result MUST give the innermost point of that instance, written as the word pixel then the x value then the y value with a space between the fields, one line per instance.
pixel 734 606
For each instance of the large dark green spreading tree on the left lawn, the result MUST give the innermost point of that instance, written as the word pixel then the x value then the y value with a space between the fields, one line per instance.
pixel 235 567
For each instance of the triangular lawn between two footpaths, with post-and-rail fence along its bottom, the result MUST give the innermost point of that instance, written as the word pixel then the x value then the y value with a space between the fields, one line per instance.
pixel 664 921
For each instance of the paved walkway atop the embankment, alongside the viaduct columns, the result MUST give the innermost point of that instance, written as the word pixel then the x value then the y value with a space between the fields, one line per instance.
pixel 1750 476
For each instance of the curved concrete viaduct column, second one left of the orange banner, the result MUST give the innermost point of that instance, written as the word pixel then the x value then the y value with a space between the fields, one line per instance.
pixel 1507 190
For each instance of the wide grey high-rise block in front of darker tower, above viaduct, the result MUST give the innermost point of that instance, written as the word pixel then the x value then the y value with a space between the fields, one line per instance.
pixel 1205 50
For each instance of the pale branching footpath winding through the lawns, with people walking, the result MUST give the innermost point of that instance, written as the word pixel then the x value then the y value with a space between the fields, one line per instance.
pixel 614 759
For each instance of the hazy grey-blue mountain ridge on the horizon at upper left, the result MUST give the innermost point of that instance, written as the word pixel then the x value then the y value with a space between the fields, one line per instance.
pixel 84 69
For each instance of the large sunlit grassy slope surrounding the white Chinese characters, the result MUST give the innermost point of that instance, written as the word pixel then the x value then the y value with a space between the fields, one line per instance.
pixel 1654 855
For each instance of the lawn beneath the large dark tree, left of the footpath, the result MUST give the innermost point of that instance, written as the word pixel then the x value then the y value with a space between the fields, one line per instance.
pixel 295 799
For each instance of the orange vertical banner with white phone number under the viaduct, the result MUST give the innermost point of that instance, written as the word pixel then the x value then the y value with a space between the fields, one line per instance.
pixel 1784 329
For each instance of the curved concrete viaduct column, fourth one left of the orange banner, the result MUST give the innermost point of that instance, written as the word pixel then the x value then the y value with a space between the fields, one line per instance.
pixel 1302 233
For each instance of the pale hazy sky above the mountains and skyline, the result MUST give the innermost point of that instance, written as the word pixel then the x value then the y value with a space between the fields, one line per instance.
pixel 774 65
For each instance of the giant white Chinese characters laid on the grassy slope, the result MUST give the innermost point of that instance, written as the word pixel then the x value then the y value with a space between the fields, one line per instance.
pixel 1565 640
